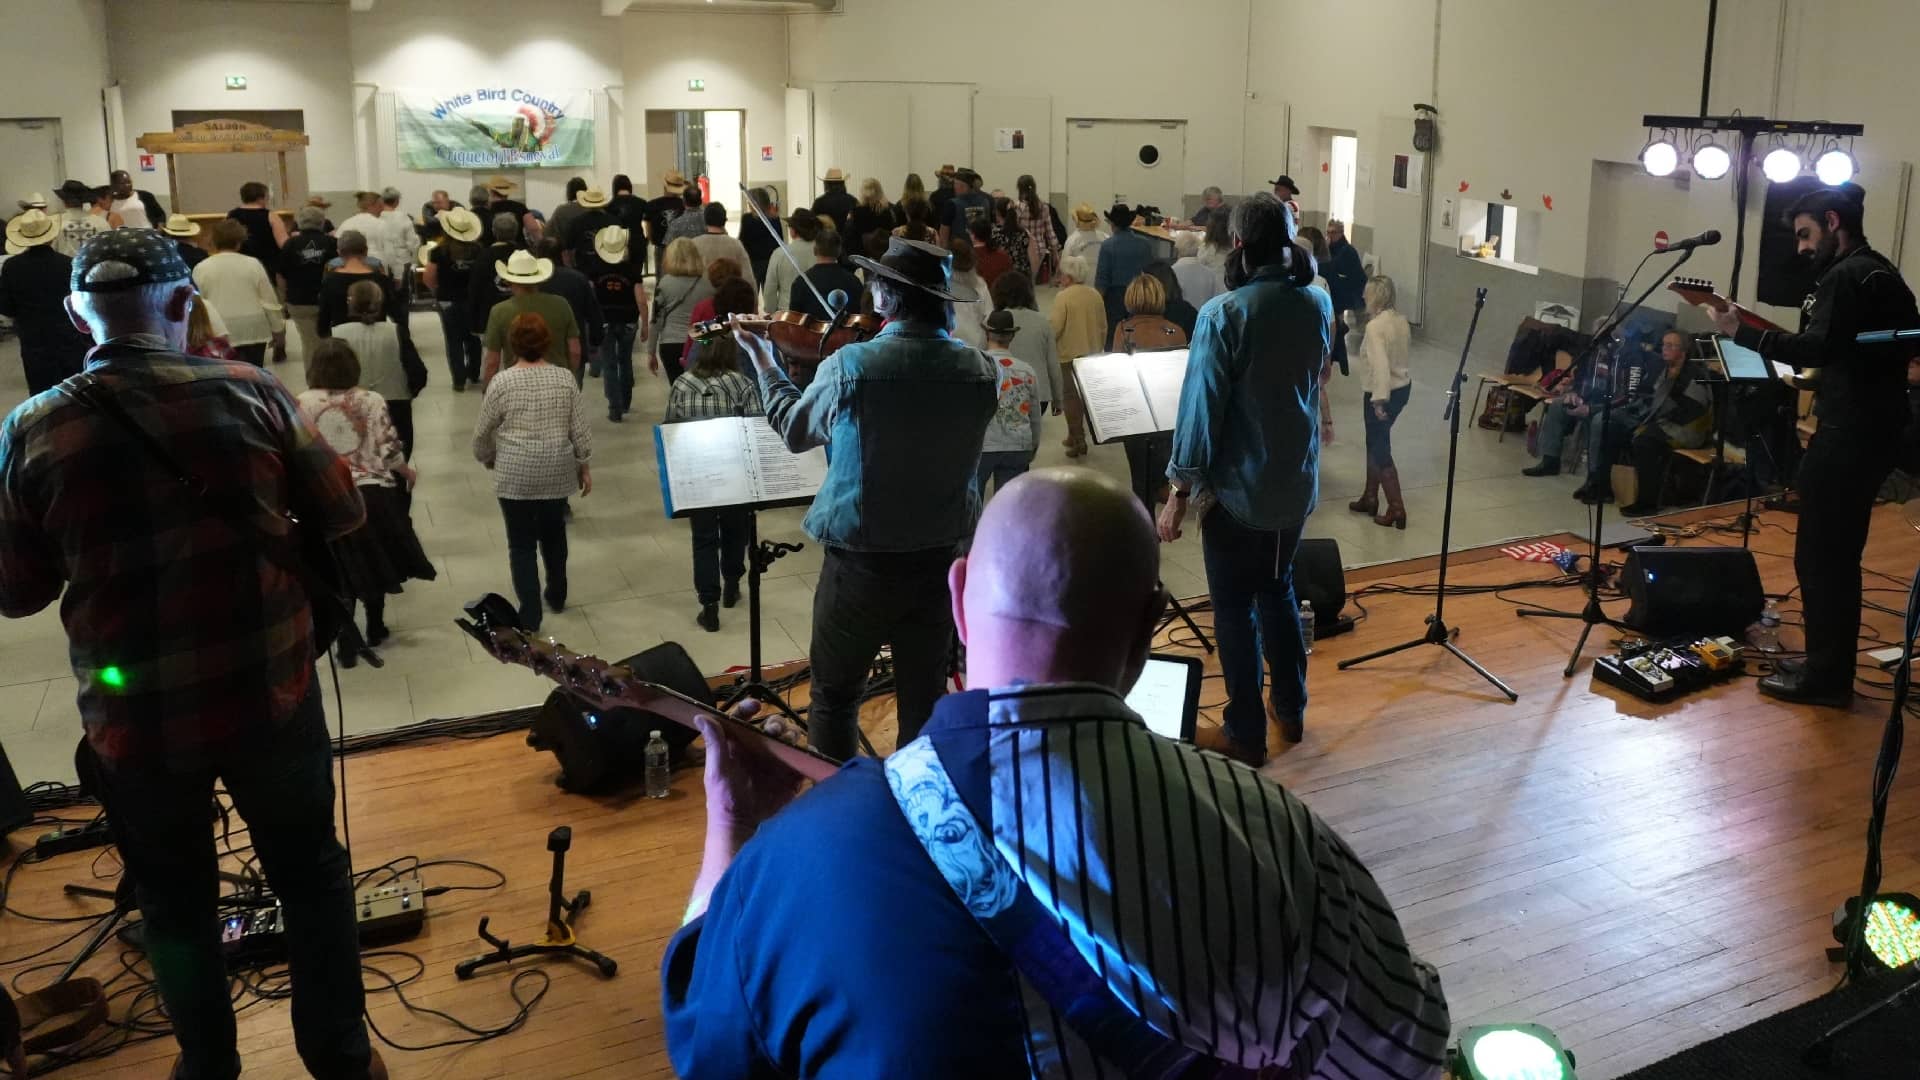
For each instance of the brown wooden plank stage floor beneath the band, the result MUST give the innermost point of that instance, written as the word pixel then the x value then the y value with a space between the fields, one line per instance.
pixel 1637 877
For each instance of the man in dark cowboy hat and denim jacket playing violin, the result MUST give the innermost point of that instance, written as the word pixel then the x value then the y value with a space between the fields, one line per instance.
pixel 903 418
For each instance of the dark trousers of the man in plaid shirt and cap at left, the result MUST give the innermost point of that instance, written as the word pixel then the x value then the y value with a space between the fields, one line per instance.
pixel 281 781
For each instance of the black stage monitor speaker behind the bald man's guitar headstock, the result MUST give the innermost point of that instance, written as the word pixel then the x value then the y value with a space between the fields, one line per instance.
pixel 606 749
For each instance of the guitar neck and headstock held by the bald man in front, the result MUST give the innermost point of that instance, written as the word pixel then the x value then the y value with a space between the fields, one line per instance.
pixel 494 624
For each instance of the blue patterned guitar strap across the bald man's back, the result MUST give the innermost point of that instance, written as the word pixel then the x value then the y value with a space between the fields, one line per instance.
pixel 942 787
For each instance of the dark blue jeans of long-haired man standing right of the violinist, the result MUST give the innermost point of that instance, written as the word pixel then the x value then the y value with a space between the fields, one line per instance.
pixel 1251 577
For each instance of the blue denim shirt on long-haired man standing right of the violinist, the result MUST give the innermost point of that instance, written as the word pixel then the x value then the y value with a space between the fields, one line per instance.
pixel 1249 426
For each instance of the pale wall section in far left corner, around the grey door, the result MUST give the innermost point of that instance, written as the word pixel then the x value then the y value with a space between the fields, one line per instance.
pixel 57 64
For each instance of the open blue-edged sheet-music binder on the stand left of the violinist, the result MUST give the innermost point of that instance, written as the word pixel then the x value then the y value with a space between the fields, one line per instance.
pixel 729 462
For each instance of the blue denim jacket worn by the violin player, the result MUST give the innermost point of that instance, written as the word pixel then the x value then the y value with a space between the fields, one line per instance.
pixel 903 418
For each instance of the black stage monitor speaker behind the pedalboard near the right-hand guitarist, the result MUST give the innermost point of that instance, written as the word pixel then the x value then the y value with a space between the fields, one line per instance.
pixel 1692 591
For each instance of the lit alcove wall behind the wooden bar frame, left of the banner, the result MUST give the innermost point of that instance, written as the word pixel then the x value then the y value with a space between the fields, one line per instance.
pixel 176 55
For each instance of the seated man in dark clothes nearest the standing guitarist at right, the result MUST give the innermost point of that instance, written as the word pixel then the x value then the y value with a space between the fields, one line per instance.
pixel 1675 416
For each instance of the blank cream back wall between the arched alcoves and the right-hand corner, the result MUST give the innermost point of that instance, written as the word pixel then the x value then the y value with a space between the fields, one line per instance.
pixel 1111 61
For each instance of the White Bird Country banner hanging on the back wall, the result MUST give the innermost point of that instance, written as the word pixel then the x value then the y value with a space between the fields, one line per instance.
pixel 494 128
